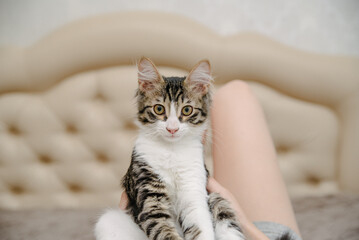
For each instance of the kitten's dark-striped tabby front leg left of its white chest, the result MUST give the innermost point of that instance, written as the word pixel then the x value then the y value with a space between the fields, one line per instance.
pixel 150 203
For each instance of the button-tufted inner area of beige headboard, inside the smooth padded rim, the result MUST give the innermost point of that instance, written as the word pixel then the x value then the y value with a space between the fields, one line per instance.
pixel 79 139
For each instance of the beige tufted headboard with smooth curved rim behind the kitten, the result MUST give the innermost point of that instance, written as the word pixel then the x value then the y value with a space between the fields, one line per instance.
pixel 67 104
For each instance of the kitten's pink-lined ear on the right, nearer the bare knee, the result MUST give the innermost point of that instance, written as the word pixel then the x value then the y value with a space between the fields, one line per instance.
pixel 199 79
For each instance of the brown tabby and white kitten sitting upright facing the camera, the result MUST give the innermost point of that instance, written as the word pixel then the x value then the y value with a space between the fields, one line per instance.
pixel 166 181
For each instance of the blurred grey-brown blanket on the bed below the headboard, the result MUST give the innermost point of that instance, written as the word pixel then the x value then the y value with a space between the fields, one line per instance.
pixel 325 218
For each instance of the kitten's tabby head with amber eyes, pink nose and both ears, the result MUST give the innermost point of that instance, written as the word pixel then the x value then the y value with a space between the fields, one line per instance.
pixel 173 107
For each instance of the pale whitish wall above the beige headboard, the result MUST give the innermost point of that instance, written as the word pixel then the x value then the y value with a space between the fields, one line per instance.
pixel 326 26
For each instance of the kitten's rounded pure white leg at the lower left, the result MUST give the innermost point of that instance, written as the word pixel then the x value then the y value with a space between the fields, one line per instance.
pixel 115 224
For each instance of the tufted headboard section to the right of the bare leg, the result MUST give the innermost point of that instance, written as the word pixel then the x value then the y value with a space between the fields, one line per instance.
pixel 305 136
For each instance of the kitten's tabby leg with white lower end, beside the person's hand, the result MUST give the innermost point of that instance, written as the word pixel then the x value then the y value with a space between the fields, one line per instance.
pixel 226 226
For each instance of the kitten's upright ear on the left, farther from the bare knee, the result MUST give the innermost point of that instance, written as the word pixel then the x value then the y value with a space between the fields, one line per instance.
pixel 149 78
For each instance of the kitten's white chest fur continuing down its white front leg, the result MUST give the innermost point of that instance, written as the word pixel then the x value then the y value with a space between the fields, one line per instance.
pixel 181 166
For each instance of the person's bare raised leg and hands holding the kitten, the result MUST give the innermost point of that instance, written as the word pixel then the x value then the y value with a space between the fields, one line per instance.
pixel 246 170
